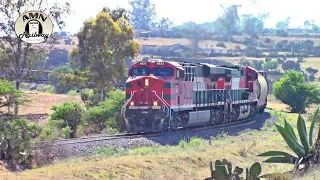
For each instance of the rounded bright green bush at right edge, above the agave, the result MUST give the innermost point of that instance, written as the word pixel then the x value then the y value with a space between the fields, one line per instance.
pixel 292 90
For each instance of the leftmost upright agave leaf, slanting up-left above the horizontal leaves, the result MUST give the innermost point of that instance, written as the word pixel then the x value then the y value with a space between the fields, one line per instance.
pixel 291 142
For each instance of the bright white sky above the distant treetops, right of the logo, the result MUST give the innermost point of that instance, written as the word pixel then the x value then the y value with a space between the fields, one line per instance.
pixel 199 11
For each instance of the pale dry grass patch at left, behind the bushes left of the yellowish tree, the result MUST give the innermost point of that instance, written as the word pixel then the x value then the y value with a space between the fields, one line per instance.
pixel 42 102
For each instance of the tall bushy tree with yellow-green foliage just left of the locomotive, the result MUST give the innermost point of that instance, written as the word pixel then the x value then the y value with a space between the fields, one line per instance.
pixel 104 45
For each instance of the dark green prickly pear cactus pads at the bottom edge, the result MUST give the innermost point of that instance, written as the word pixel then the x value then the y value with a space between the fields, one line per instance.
pixel 223 171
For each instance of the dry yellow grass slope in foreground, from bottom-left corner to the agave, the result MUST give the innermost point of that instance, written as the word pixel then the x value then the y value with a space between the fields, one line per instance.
pixel 180 164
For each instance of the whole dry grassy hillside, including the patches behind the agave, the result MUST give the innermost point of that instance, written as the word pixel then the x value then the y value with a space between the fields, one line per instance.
pixel 184 161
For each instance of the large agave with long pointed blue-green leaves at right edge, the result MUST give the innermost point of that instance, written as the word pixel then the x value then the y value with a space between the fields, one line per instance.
pixel 303 149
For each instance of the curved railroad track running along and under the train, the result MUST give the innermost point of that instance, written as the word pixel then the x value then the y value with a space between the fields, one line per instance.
pixel 103 137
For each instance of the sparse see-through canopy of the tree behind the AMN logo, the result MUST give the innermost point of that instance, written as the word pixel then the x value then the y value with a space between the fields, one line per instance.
pixel 18 57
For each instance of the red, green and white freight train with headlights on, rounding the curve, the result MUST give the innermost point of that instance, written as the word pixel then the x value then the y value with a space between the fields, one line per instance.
pixel 166 95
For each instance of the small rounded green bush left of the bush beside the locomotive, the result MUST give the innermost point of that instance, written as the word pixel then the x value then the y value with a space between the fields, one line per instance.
pixel 67 114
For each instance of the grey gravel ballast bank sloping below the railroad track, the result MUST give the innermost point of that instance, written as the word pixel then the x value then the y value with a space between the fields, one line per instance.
pixel 48 152
